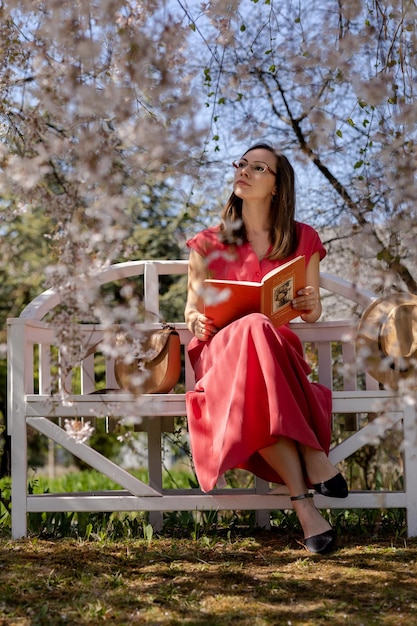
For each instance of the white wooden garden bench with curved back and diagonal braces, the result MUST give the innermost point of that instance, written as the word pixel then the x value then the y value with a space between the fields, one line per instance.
pixel 30 404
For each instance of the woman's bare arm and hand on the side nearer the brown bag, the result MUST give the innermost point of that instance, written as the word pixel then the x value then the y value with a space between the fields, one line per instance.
pixel 200 325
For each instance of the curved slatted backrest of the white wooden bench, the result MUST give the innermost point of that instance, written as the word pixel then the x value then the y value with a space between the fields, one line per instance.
pixel 329 345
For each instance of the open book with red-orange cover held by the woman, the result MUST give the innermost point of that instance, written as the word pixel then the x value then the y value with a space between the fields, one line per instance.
pixel 227 300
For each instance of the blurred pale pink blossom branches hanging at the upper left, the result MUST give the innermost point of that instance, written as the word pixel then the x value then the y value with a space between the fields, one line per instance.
pixel 93 101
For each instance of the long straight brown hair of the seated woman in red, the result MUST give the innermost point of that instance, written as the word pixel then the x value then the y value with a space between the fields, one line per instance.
pixel 282 212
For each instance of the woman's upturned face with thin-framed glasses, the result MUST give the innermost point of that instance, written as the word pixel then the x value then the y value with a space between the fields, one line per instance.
pixel 255 175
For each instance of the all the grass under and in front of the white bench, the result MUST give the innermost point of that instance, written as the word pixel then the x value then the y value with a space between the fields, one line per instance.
pixel 205 570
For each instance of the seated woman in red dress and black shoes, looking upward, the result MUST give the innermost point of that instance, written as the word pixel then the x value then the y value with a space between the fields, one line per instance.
pixel 259 411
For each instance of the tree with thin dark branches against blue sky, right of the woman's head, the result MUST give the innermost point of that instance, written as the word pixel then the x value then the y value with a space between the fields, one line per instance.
pixel 333 85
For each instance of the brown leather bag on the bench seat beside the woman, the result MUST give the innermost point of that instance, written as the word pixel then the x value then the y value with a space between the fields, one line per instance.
pixel 156 369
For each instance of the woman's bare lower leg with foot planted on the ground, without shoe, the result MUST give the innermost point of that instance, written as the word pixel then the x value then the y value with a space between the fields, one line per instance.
pixel 284 457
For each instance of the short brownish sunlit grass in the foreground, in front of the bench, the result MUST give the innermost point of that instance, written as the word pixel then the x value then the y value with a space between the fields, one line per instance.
pixel 257 580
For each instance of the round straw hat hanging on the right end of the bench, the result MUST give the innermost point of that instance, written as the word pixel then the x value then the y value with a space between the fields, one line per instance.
pixel 387 339
